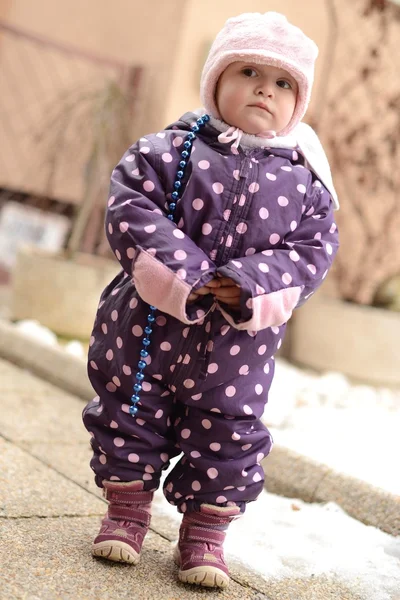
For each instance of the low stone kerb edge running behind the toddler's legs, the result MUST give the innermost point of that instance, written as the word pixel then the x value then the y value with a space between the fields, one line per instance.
pixel 288 473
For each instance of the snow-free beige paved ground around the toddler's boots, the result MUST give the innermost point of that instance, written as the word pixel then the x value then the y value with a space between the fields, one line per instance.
pixel 50 511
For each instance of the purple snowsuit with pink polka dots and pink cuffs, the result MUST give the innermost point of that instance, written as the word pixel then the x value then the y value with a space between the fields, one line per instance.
pixel 255 215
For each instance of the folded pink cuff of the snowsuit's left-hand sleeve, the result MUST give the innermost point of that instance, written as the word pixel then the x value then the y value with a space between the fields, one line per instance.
pixel 157 285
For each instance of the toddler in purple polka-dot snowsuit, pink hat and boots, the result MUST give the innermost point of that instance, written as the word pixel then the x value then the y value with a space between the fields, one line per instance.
pixel 223 225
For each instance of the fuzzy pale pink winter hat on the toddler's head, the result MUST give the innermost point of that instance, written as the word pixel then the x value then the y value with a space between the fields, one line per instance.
pixel 264 39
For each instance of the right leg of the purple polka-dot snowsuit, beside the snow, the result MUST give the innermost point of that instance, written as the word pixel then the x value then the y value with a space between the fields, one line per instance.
pixel 223 441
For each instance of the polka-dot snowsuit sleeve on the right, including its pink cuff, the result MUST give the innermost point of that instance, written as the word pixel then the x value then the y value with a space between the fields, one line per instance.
pixel 277 280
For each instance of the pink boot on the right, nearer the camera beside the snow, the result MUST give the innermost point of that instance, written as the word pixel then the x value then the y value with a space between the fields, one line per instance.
pixel 199 553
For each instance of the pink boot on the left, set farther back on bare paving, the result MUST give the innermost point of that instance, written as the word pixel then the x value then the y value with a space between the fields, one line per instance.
pixel 126 522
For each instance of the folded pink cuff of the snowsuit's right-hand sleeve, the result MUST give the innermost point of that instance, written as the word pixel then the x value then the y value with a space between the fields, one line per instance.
pixel 269 310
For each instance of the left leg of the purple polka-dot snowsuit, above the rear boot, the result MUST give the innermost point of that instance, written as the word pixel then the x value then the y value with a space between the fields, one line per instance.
pixel 127 448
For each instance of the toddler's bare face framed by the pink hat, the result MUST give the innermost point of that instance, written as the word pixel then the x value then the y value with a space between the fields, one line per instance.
pixel 256 98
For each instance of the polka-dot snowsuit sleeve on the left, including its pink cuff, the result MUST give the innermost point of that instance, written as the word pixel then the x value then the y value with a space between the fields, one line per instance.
pixel 166 265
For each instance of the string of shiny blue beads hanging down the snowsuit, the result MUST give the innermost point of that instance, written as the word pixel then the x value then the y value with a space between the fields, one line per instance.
pixel 176 194
